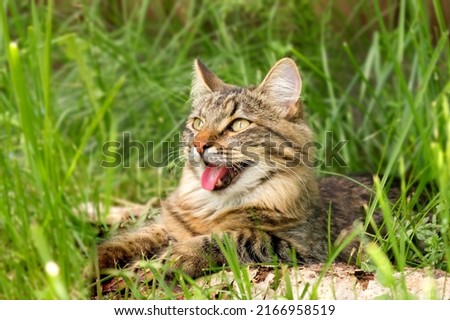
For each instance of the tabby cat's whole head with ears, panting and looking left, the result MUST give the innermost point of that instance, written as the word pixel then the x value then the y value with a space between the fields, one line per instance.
pixel 238 138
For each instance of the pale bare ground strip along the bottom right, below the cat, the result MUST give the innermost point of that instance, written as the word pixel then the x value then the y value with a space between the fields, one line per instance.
pixel 342 282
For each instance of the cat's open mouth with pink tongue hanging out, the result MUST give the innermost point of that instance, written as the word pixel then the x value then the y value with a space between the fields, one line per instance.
pixel 216 177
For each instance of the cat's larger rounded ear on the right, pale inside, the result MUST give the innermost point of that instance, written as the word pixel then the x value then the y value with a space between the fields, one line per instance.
pixel 282 87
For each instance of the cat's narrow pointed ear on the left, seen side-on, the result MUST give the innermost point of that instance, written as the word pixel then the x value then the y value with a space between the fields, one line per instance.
pixel 205 81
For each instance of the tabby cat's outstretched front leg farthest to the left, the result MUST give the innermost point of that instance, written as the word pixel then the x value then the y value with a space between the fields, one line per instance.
pixel 125 248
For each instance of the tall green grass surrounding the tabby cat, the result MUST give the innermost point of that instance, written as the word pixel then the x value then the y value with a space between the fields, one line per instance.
pixel 75 75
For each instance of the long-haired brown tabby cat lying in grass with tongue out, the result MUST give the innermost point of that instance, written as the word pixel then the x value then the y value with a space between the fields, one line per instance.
pixel 248 177
